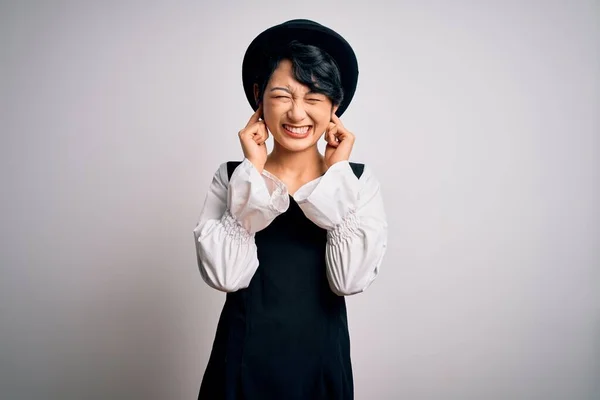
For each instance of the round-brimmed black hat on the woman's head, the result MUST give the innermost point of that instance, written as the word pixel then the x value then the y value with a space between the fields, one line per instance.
pixel 306 32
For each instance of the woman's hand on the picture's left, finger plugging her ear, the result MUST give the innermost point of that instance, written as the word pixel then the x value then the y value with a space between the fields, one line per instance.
pixel 253 138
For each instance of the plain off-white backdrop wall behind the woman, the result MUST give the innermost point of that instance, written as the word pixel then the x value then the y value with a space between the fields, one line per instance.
pixel 480 118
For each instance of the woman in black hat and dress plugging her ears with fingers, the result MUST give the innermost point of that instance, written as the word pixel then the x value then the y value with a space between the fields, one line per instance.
pixel 288 234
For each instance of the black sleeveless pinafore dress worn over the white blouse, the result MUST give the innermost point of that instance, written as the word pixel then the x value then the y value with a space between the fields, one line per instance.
pixel 285 336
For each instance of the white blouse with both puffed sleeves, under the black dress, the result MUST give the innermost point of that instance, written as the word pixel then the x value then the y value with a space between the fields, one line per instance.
pixel 350 209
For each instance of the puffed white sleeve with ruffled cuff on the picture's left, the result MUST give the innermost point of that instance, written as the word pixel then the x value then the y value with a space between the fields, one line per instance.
pixel 234 210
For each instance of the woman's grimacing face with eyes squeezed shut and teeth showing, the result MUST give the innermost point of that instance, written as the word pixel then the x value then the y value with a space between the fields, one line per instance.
pixel 296 117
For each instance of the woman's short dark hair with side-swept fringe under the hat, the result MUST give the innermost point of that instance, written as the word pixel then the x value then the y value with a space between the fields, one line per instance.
pixel 311 66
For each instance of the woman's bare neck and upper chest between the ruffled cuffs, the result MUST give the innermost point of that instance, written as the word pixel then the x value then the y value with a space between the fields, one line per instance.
pixel 305 163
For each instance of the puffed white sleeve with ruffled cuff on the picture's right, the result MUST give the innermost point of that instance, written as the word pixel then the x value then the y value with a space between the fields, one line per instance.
pixel 352 212
